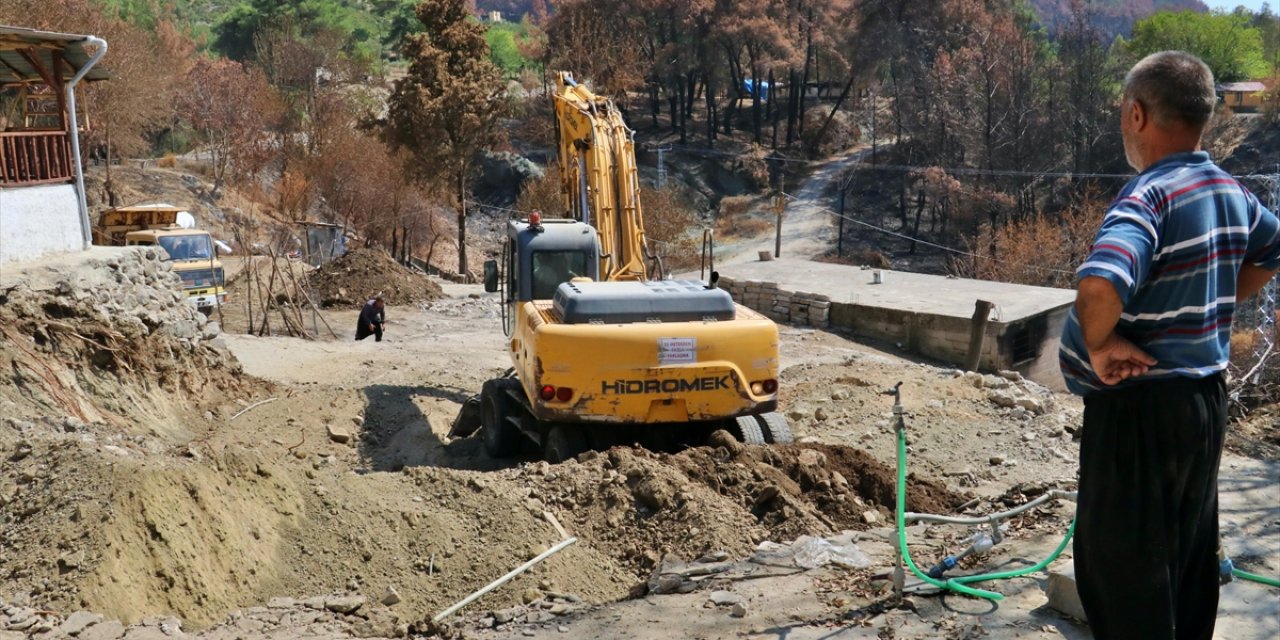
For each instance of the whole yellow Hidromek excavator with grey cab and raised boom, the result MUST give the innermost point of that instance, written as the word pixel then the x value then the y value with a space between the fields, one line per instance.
pixel 601 354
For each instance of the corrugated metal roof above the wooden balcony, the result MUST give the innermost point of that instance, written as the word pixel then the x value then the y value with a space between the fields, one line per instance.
pixel 66 51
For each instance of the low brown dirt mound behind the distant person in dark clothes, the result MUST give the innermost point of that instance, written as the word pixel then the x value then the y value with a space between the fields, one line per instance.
pixel 363 273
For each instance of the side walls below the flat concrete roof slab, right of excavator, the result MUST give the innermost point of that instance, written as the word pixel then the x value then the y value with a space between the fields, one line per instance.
pixel 1028 345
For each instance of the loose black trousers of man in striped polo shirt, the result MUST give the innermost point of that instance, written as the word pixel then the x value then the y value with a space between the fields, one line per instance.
pixel 1146 536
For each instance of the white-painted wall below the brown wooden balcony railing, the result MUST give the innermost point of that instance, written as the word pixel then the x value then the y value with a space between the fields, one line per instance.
pixel 39 221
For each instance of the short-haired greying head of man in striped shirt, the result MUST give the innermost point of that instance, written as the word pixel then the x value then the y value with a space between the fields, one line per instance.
pixel 1176 88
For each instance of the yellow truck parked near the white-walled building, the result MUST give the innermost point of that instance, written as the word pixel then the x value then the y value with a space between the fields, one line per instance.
pixel 191 252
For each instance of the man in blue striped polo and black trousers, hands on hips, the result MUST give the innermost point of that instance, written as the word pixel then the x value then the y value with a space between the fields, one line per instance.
pixel 1146 345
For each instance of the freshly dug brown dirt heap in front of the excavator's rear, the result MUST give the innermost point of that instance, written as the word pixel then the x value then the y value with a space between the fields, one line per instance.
pixel 639 506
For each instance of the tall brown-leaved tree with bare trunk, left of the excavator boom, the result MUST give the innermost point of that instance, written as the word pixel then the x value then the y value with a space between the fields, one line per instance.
pixel 447 109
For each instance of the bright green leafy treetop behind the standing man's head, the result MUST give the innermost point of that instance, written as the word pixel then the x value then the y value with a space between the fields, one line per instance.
pixel 1226 42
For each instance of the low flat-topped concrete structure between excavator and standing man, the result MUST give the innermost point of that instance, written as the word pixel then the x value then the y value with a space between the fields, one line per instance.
pixel 930 316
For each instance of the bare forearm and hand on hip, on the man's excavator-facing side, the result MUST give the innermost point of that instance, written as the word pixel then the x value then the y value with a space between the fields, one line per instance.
pixel 1099 308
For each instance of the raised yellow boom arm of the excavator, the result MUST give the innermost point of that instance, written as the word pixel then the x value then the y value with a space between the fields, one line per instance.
pixel 598 177
